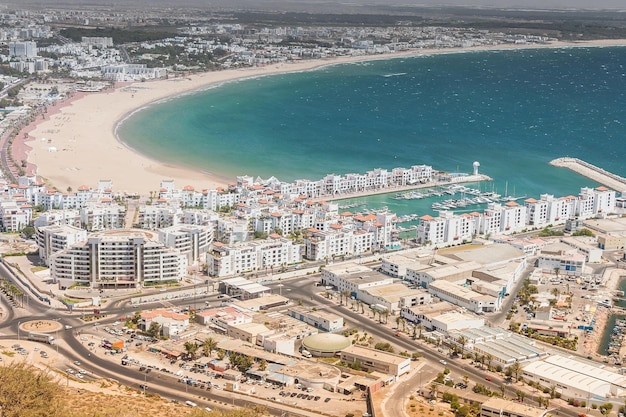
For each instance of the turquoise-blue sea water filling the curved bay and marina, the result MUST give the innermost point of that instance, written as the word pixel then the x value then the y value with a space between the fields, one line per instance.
pixel 513 111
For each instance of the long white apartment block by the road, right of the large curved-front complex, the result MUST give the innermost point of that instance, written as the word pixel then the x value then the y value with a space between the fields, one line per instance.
pixel 267 255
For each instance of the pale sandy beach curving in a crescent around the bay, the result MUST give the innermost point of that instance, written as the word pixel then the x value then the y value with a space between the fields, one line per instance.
pixel 76 145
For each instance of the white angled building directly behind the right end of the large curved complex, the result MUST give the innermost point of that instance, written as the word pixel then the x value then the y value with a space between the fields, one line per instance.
pixel 190 240
